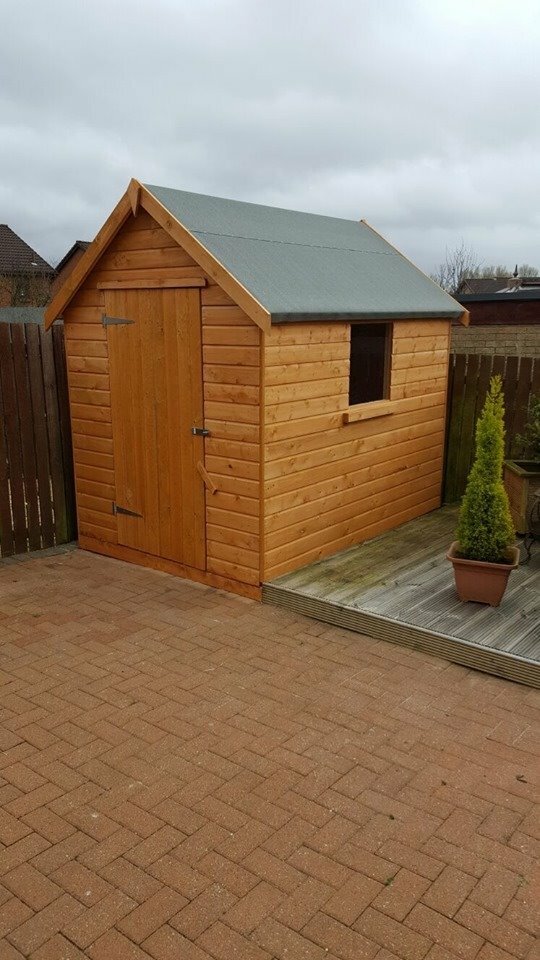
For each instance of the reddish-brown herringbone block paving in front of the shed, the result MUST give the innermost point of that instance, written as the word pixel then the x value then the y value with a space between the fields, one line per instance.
pixel 190 775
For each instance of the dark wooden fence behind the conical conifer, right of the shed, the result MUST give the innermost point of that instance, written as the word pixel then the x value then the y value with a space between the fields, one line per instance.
pixel 467 387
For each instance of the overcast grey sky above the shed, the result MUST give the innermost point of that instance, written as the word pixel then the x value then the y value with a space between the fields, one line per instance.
pixel 419 115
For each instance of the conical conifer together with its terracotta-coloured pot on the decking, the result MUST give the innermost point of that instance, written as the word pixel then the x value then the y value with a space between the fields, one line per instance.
pixel 484 554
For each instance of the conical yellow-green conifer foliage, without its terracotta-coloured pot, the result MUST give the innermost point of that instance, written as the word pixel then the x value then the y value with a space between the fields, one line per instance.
pixel 485 528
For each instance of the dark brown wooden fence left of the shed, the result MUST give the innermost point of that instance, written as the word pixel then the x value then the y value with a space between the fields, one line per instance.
pixel 37 498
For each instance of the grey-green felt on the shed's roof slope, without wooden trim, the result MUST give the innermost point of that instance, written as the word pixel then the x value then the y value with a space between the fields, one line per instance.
pixel 301 266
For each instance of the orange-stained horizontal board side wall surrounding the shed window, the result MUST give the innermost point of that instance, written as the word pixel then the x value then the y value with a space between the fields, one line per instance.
pixel 330 485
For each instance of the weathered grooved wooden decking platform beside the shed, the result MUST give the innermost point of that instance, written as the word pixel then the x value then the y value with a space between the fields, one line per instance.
pixel 400 587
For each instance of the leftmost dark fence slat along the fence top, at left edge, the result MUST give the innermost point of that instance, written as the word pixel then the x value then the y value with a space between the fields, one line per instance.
pixel 13 439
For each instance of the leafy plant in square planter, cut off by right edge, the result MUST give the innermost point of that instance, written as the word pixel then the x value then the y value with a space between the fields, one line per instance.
pixel 522 475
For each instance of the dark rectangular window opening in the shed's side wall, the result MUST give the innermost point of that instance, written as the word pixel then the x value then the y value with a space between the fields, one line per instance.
pixel 370 362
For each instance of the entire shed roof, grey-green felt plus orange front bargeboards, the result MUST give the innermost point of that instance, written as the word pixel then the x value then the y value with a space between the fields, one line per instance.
pixel 278 265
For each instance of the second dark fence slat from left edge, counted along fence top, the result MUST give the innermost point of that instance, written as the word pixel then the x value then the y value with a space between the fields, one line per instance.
pixel 24 405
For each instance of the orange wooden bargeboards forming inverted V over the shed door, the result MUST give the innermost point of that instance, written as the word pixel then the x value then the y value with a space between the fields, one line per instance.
pixel 136 197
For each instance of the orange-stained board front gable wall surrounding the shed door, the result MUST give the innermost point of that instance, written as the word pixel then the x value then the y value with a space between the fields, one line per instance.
pixel 144 257
